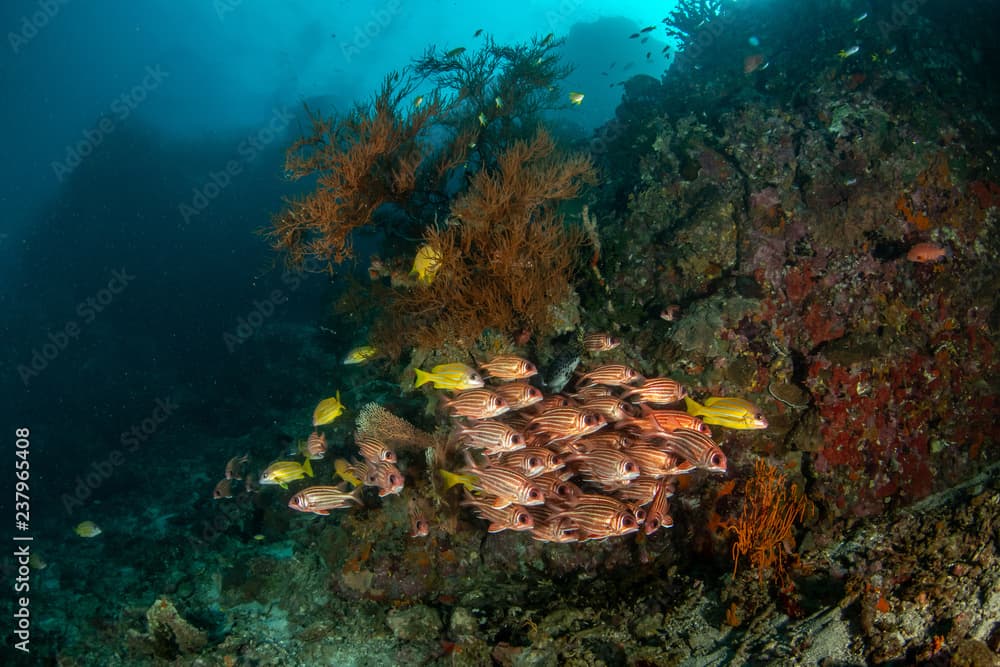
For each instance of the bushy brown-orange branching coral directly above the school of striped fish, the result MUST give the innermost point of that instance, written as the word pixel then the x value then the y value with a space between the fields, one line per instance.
pixel 506 255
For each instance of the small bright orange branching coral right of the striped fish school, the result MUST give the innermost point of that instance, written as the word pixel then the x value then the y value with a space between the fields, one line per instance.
pixel 764 528
